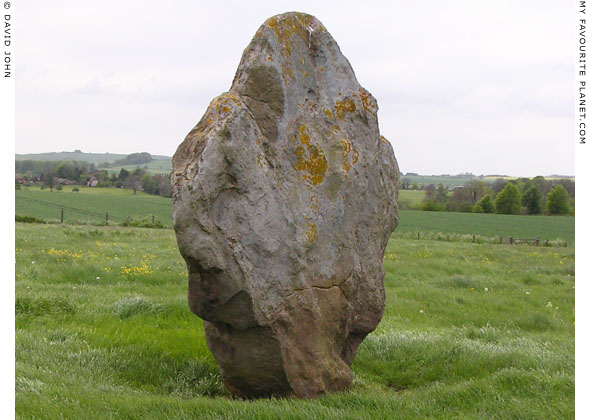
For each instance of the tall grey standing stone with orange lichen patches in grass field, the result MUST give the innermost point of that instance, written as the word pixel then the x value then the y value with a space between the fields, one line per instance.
pixel 284 200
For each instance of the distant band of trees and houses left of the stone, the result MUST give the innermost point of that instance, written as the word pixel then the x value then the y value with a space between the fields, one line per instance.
pixel 54 174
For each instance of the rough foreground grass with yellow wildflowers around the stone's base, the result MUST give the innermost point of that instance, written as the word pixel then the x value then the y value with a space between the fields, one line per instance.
pixel 470 331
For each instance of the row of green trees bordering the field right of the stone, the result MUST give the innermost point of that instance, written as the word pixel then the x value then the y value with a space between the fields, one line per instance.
pixel 521 196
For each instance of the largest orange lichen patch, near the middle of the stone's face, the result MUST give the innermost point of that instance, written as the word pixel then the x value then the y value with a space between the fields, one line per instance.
pixel 310 158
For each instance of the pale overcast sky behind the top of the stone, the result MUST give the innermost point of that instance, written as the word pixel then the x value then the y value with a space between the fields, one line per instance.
pixel 482 86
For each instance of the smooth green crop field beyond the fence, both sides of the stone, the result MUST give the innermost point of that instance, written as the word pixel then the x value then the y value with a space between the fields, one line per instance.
pixel 121 203
